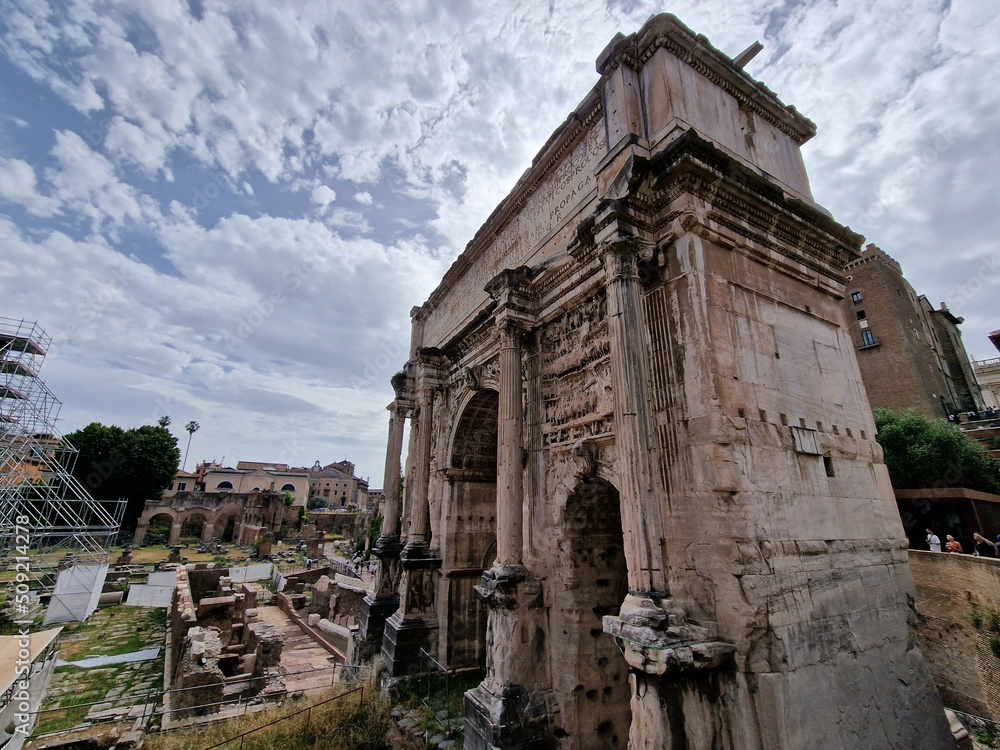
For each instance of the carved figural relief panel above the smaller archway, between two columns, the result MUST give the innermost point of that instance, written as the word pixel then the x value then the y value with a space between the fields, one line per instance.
pixel 576 374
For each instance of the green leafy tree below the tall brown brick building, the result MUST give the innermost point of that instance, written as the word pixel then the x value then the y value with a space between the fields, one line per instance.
pixel 921 452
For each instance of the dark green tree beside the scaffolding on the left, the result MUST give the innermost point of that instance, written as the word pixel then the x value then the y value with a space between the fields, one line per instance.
pixel 136 464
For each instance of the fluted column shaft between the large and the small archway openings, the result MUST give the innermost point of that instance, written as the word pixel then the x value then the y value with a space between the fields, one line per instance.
pixel 510 494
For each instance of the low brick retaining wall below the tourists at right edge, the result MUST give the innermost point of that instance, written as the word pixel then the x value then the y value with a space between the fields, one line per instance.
pixel 950 588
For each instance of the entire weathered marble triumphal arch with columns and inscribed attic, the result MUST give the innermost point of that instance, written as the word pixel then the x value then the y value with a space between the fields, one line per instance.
pixel 642 483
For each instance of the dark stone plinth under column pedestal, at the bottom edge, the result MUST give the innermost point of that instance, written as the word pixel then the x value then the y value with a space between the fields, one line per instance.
pixel 515 719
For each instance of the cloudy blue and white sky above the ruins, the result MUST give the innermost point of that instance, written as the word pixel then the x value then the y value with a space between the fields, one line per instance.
pixel 224 212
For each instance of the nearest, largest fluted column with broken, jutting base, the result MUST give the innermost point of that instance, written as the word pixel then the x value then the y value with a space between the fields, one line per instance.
pixel 660 646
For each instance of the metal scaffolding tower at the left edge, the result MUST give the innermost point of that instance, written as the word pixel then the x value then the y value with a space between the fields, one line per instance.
pixel 43 508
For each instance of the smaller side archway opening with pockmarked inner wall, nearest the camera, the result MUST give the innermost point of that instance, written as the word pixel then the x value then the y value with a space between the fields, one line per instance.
pixel 588 672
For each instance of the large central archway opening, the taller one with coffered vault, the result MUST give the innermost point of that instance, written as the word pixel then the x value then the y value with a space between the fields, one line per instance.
pixel 471 528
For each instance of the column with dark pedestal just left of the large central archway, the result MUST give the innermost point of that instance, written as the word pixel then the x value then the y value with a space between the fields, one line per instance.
pixel 413 626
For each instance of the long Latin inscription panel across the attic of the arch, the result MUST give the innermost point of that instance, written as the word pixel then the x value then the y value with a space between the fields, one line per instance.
pixel 555 200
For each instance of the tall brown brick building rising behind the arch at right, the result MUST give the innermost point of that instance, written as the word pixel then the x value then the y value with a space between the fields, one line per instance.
pixel 911 355
